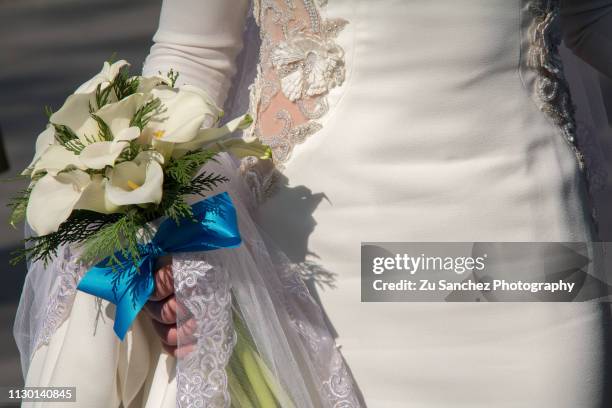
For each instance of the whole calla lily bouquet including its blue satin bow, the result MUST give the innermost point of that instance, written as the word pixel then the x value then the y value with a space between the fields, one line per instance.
pixel 124 151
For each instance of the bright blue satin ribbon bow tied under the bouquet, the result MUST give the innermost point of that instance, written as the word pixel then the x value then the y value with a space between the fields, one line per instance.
pixel 129 285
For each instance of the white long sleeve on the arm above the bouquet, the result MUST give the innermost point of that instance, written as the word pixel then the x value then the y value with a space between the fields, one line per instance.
pixel 200 39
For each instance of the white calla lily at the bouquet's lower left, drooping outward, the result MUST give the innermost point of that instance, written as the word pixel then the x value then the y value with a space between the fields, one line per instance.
pixel 53 198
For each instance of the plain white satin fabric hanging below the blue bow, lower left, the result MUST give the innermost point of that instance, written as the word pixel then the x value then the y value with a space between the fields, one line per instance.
pixel 85 353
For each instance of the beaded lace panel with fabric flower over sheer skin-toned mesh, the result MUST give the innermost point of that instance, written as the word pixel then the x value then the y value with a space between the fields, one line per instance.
pixel 300 62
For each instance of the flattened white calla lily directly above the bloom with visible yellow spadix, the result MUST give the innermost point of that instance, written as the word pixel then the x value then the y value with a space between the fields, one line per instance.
pixel 98 155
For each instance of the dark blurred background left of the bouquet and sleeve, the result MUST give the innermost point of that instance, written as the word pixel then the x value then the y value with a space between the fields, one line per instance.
pixel 47 49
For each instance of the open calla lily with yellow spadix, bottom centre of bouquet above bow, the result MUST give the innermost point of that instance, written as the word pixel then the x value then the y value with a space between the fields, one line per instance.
pixel 136 182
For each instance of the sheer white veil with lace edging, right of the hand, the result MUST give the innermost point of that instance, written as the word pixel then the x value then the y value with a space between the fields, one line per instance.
pixel 285 323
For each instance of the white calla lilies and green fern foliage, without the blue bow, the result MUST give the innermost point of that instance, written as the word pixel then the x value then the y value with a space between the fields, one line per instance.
pixel 122 151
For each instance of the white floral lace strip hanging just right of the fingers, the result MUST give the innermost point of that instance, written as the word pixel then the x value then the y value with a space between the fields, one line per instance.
pixel 205 292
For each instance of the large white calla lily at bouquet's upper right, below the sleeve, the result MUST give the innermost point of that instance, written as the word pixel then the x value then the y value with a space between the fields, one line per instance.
pixel 185 109
